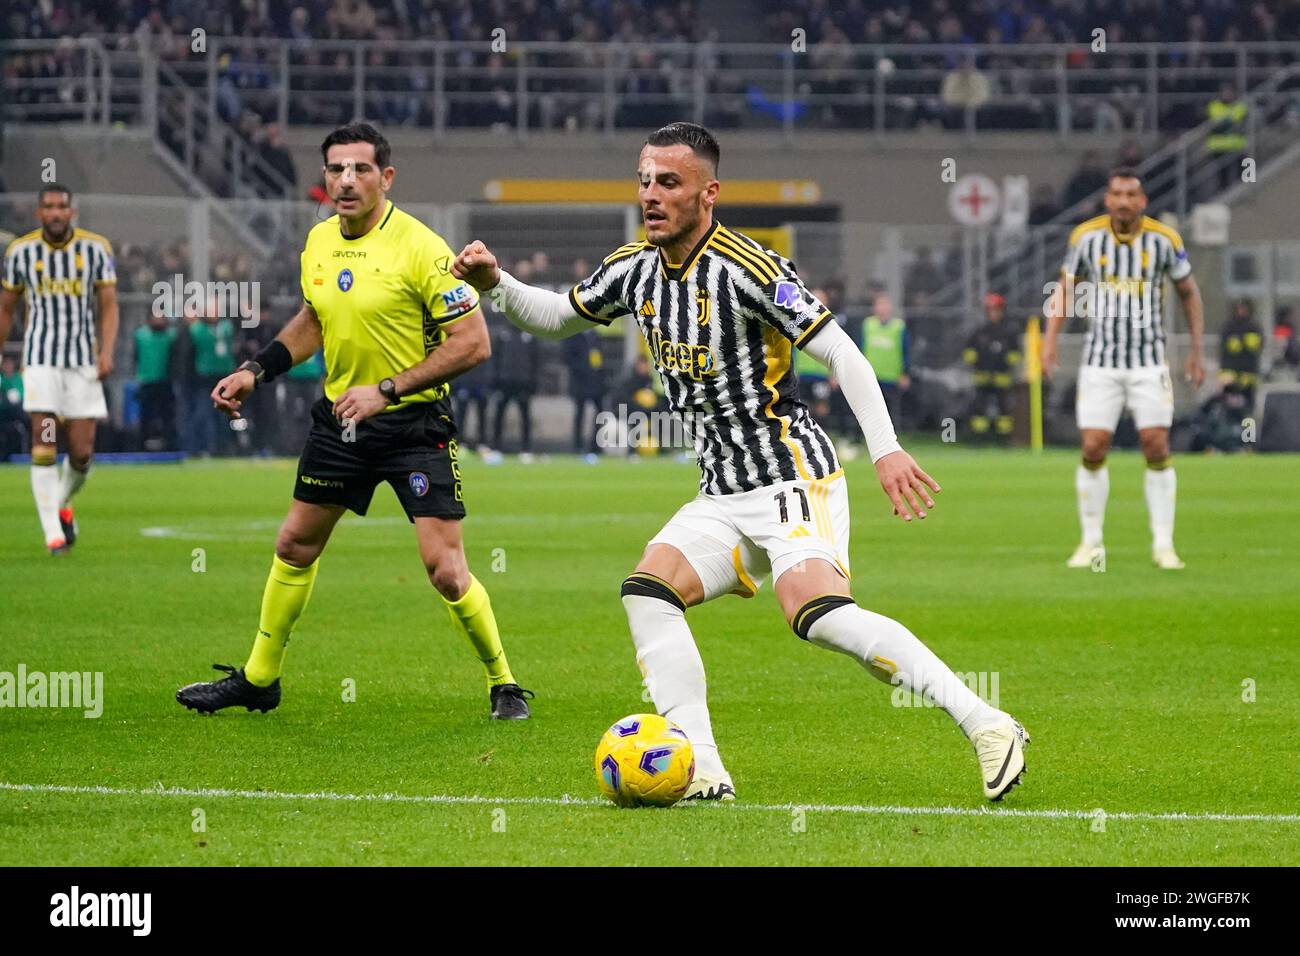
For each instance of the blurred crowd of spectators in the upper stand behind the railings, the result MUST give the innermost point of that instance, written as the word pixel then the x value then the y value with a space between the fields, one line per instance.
pixel 835 84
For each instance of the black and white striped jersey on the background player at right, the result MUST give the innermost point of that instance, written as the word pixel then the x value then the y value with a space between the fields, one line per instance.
pixel 1119 284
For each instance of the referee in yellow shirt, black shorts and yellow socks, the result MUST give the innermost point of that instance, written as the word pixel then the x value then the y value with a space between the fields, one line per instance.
pixel 397 327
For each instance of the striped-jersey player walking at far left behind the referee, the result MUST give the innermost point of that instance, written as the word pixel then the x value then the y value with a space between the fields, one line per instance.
pixel 70 282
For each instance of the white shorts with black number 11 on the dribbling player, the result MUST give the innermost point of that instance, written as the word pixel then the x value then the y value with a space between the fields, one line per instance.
pixel 734 542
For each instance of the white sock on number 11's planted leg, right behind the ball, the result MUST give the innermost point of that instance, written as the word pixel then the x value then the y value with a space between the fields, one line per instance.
pixel 675 674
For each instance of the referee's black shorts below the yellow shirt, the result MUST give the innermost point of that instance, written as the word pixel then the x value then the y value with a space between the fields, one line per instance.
pixel 414 449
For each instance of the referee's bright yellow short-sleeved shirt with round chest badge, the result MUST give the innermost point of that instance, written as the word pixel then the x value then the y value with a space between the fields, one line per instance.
pixel 383 299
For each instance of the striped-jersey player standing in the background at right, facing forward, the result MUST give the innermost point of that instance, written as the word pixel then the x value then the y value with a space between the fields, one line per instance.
pixel 1125 257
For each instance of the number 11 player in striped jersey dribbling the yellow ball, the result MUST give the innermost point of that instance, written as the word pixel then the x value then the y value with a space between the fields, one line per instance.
pixel 722 315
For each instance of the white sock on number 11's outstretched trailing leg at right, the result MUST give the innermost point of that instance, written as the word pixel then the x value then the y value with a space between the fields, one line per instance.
pixel 896 656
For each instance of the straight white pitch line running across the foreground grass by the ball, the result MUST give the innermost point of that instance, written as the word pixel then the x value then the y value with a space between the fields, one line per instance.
pixel 206 793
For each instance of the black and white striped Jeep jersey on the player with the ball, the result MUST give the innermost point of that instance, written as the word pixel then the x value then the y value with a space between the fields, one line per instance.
pixel 721 330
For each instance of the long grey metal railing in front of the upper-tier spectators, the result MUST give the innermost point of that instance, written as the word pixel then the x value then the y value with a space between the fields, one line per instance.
pixel 609 86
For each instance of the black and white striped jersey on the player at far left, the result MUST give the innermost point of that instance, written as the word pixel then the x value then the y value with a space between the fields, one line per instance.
pixel 59 284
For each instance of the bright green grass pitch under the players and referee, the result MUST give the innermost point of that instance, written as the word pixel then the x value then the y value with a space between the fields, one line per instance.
pixel 1132 681
